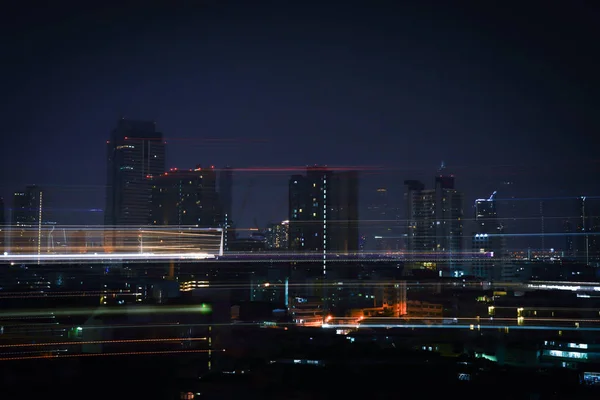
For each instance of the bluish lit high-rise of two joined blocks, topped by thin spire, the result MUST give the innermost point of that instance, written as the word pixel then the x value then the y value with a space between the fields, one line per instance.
pixel 434 224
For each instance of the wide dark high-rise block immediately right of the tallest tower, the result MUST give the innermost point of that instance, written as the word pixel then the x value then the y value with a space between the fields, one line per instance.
pixel 186 198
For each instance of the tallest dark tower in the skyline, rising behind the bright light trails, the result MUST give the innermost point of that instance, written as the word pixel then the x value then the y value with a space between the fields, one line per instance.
pixel 135 152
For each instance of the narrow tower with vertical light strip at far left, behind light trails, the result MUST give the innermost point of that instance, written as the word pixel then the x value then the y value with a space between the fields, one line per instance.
pixel 26 221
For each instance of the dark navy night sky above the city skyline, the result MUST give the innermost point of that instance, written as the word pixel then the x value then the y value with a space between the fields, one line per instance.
pixel 499 92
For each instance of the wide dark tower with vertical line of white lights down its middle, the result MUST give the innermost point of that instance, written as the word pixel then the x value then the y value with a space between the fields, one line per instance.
pixel 323 215
